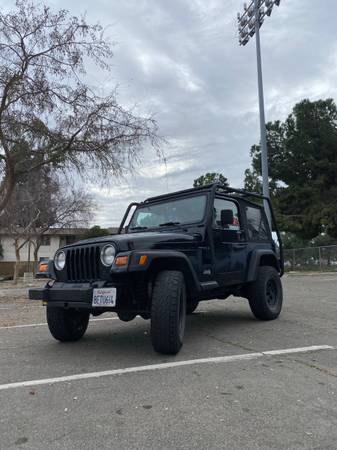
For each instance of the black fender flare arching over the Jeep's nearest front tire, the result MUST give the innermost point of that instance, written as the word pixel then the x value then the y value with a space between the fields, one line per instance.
pixel 158 260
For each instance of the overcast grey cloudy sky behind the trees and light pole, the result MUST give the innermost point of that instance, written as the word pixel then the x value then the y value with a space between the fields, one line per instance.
pixel 180 60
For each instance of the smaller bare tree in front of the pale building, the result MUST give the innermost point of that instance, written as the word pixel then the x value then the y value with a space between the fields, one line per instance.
pixel 39 203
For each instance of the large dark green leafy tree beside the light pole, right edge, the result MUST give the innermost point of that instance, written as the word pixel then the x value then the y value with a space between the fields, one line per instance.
pixel 302 169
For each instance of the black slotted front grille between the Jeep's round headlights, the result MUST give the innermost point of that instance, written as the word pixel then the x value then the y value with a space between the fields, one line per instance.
pixel 83 263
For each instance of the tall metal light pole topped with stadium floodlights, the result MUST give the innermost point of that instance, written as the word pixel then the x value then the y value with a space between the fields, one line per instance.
pixel 250 23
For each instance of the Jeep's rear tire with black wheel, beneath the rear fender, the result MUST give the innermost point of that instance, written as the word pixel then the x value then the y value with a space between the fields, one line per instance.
pixel 265 294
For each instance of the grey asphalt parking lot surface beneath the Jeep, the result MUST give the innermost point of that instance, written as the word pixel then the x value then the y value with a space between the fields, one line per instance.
pixel 223 391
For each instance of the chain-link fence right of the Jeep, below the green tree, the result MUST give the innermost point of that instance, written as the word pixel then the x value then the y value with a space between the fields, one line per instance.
pixel 311 258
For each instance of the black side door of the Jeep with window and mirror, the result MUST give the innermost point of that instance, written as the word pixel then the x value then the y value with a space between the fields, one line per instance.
pixel 230 248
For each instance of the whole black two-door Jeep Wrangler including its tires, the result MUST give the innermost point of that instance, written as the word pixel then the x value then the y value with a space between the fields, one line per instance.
pixel 171 252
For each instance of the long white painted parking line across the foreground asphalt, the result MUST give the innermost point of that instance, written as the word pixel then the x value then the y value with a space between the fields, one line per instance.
pixel 162 366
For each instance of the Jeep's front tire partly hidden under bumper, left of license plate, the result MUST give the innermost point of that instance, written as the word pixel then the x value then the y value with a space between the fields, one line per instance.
pixel 67 325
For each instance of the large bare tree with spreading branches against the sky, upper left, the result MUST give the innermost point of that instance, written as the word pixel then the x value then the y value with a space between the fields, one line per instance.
pixel 48 114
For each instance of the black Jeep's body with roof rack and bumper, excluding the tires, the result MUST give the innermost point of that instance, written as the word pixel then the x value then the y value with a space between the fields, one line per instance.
pixel 218 244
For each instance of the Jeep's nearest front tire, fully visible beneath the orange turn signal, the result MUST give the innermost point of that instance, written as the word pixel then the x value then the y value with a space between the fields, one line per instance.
pixel 168 312
